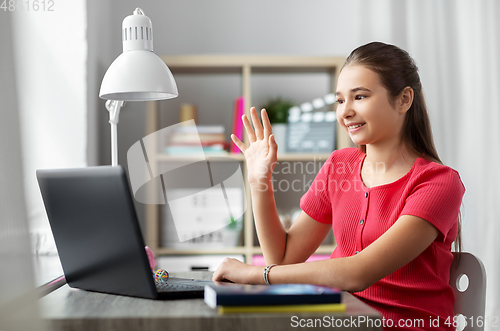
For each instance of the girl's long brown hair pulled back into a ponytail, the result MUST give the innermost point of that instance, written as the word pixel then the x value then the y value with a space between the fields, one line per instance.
pixel 397 70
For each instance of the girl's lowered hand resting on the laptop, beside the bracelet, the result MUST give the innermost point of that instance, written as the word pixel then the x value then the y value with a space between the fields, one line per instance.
pixel 238 272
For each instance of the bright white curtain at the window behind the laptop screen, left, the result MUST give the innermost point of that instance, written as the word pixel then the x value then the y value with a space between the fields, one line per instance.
pixel 50 50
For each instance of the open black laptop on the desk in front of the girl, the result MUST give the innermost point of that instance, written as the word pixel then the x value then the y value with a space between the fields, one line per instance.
pixel 97 234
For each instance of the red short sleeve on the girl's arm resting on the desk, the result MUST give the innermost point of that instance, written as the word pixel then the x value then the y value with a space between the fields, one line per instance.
pixel 437 197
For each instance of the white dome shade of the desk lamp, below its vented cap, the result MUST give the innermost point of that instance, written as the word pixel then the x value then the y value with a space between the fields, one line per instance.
pixel 138 75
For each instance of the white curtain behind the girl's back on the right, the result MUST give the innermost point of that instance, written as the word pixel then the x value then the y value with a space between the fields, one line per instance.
pixel 456 44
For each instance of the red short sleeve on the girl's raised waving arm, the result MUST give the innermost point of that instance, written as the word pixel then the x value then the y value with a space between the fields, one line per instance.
pixel 316 202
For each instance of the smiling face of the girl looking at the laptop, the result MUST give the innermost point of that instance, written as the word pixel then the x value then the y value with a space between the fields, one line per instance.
pixel 364 109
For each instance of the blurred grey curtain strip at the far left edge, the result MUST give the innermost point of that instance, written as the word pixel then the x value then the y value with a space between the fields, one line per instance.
pixel 18 300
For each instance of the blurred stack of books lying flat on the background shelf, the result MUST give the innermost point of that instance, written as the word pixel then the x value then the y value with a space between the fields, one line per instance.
pixel 188 139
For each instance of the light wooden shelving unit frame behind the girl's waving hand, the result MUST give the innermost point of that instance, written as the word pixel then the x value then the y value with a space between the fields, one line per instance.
pixel 246 66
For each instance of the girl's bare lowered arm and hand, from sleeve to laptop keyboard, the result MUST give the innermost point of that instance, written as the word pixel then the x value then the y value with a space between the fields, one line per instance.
pixel 398 246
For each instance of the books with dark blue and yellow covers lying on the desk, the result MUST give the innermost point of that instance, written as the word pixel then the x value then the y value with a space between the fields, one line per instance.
pixel 236 298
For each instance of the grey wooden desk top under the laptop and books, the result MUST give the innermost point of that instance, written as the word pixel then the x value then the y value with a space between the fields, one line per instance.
pixel 72 309
